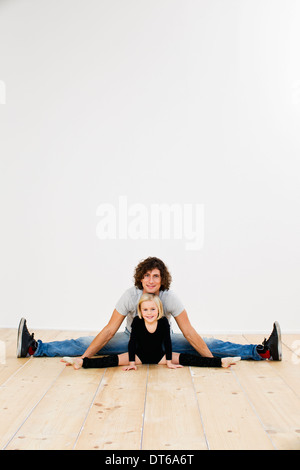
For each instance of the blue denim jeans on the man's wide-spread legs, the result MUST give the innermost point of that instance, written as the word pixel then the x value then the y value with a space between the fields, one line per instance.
pixel 119 344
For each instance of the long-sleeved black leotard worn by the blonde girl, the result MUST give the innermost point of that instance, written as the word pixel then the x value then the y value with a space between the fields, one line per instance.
pixel 150 347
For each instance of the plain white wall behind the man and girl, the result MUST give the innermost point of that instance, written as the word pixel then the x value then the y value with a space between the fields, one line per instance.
pixel 187 102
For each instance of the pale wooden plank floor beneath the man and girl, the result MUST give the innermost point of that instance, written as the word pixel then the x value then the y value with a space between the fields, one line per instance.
pixel 46 405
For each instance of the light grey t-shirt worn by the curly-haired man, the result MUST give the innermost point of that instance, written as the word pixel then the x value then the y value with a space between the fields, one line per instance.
pixel 127 304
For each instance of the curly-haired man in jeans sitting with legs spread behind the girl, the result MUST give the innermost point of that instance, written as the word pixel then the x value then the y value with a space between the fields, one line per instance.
pixel 151 276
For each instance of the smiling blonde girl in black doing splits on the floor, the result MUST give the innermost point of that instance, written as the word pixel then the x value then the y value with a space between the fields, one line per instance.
pixel 150 343
